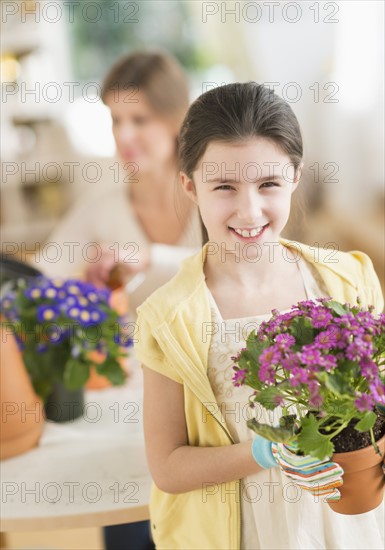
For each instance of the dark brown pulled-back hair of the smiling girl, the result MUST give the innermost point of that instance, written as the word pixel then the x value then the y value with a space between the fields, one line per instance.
pixel 233 113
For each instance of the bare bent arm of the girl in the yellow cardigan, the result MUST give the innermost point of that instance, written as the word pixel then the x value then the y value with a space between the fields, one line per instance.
pixel 175 466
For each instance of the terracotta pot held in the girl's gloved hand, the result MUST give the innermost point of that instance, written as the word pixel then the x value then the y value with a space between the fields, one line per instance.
pixel 364 480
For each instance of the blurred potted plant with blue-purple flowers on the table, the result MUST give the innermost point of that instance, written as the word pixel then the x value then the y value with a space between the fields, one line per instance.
pixel 58 324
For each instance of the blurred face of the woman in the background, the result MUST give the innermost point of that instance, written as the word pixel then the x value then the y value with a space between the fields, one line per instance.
pixel 141 136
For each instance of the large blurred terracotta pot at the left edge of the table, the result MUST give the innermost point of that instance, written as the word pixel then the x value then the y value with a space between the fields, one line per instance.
pixel 22 417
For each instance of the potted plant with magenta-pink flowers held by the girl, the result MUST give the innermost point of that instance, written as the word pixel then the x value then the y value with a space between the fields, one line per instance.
pixel 322 365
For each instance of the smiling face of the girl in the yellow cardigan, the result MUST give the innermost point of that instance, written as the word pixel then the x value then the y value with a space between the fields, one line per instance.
pixel 243 190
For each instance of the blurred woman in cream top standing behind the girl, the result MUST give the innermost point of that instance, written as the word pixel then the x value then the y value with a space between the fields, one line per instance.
pixel 141 223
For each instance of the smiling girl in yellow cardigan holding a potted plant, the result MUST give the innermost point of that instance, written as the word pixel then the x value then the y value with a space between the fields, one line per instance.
pixel 216 486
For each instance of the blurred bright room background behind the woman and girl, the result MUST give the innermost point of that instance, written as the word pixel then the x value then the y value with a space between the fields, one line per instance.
pixel 325 58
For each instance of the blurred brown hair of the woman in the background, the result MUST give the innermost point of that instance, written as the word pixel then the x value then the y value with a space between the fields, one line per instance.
pixel 158 75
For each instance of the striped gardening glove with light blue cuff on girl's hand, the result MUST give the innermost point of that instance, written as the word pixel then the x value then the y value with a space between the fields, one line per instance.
pixel 320 478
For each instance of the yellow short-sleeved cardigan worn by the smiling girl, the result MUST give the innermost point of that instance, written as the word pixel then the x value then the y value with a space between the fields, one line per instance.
pixel 173 339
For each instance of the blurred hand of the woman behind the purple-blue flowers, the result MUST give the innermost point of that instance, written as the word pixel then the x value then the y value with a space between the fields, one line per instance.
pixel 114 270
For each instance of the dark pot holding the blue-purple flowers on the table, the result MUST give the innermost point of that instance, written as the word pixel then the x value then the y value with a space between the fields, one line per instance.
pixel 63 405
